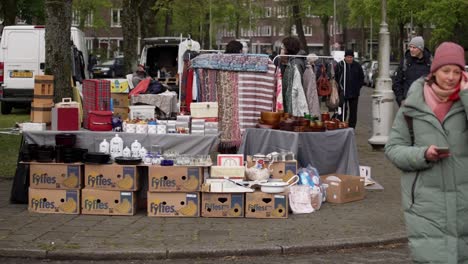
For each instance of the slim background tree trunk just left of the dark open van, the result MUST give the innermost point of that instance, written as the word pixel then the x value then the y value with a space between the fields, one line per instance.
pixel 130 34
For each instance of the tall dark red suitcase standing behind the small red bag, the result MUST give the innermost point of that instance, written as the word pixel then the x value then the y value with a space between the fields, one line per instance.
pixel 96 96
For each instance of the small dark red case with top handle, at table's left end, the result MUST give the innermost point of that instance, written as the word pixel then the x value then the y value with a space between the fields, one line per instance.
pixel 66 115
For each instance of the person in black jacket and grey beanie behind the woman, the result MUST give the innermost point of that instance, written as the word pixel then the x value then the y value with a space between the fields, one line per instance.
pixel 416 63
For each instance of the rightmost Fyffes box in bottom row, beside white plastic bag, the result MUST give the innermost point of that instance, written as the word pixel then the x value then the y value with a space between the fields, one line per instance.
pixel 266 205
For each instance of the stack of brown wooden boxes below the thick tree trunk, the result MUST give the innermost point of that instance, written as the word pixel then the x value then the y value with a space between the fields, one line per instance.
pixel 41 106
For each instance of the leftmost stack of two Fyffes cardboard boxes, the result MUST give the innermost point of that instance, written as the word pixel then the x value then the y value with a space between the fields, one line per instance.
pixel 55 188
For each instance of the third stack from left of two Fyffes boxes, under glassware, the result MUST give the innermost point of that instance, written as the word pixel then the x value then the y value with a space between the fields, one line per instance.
pixel 174 191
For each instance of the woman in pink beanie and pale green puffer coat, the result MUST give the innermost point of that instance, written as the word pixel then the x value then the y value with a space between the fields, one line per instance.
pixel 429 143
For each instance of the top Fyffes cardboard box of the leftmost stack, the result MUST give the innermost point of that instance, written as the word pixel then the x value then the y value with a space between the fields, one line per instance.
pixel 56 175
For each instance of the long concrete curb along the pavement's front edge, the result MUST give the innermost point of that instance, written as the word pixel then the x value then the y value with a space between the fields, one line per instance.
pixel 313 247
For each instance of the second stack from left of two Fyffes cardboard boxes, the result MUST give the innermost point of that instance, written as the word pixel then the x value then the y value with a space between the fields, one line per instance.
pixel 109 189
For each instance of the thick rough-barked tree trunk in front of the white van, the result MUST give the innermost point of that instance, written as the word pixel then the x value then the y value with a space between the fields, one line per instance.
pixel 58 46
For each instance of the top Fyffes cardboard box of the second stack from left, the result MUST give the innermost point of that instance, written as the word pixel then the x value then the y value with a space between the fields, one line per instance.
pixel 111 177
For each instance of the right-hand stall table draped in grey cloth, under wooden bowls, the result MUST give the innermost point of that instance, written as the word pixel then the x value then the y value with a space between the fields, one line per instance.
pixel 331 151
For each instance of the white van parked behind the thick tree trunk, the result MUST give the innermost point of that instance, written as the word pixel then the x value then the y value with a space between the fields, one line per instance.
pixel 22 56
